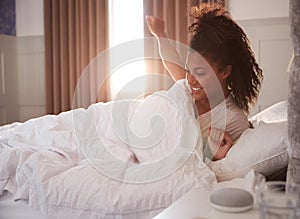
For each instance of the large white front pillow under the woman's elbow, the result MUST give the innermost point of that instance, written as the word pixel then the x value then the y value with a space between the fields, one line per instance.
pixel 264 148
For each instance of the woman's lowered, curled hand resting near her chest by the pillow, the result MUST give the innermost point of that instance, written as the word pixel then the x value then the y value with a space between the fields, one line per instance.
pixel 219 143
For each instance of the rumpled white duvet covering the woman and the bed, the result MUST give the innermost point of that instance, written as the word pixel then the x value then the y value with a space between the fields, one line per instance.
pixel 82 163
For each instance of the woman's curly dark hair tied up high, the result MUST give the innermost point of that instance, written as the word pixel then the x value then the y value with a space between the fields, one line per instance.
pixel 219 38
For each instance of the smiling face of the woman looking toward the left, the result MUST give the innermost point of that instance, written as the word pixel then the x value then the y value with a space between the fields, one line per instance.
pixel 207 83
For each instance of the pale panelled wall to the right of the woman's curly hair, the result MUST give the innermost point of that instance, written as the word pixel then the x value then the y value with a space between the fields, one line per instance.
pixel 266 24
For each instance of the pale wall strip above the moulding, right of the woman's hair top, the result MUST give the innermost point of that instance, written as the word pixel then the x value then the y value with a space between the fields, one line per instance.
pixel 258 9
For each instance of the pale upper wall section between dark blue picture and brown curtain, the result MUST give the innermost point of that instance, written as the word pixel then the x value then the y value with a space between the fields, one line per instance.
pixel 29 18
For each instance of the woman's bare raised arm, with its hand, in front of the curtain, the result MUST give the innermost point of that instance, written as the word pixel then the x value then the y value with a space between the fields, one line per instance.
pixel 168 53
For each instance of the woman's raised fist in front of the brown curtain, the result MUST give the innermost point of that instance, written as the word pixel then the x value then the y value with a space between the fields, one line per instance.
pixel 156 26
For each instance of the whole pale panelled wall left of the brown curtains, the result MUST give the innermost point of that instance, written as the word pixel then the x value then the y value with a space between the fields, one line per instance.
pixel 22 80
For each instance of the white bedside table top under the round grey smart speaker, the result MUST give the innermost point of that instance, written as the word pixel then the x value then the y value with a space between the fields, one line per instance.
pixel 195 205
